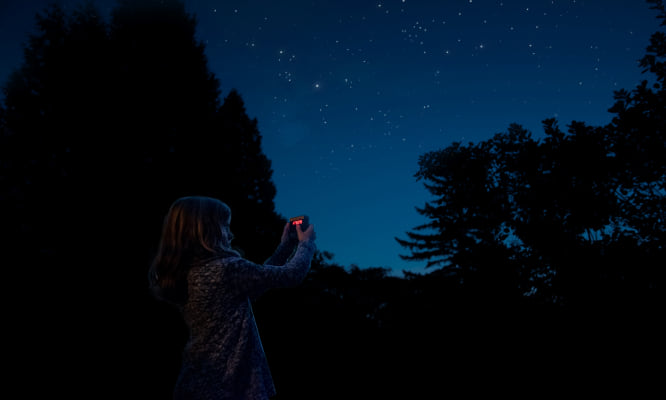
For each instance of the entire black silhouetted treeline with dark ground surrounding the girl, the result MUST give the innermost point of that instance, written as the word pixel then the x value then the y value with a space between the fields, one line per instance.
pixel 546 256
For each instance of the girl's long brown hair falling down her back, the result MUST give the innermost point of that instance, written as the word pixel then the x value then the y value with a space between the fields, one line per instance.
pixel 195 228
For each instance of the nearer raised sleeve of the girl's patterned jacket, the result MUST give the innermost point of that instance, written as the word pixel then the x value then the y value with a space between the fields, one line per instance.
pixel 251 279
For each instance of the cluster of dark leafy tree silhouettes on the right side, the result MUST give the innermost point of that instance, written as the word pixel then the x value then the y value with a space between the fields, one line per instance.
pixel 576 218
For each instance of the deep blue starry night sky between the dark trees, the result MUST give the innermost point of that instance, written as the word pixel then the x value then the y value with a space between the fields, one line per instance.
pixel 348 94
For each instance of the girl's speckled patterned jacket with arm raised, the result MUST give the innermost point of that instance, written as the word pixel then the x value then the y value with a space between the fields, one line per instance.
pixel 223 357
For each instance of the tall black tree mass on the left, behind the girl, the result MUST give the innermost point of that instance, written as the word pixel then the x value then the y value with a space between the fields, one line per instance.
pixel 103 125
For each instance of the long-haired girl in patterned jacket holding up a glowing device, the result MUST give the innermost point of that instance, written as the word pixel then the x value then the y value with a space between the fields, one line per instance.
pixel 211 284
